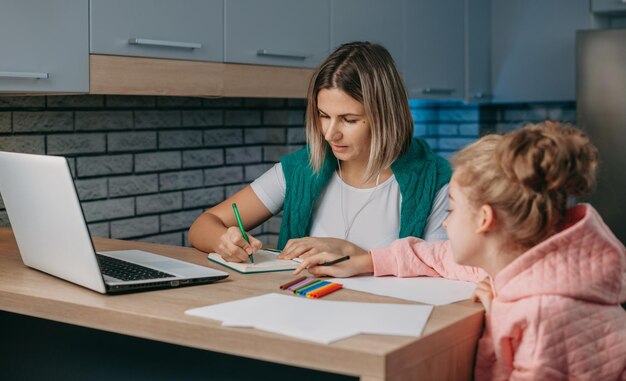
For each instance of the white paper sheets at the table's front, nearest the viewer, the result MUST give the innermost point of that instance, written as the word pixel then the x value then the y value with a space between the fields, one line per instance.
pixel 318 320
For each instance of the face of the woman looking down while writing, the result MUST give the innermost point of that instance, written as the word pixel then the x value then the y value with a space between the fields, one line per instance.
pixel 344 125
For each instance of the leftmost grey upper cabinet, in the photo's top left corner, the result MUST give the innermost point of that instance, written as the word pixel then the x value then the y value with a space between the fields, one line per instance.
pixel 44 46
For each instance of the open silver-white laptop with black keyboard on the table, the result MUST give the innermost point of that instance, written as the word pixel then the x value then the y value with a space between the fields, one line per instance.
pixel 52 235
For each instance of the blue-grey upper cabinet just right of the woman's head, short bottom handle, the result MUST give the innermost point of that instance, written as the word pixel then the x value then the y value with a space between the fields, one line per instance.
pixel 435 43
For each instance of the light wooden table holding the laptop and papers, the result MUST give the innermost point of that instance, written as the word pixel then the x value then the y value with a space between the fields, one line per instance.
pixel 445 351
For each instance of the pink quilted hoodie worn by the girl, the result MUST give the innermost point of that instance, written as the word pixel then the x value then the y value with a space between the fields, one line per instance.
pixel 555 312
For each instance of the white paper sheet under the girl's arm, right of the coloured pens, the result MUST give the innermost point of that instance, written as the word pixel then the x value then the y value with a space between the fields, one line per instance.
pixel 436 291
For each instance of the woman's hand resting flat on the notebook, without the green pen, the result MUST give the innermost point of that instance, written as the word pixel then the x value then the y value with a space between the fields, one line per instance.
pixel 308 246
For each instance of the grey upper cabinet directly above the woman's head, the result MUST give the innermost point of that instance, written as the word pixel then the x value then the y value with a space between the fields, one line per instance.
pixel 369 20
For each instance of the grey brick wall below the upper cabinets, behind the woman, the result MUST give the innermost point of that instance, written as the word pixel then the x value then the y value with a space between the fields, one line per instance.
pixel 146 167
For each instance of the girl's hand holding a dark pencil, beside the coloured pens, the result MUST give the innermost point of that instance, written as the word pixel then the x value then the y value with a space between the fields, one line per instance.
pixel 357 264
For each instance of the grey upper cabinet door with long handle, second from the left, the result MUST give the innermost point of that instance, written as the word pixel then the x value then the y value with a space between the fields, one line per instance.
pixel 184 29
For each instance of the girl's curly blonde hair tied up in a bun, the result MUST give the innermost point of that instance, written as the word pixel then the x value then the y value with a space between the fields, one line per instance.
pixel 527 176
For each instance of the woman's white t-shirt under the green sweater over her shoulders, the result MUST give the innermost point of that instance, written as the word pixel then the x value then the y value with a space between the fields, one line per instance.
pixel 370 217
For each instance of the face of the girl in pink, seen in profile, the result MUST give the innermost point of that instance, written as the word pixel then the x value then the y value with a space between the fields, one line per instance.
pixel 462 225
